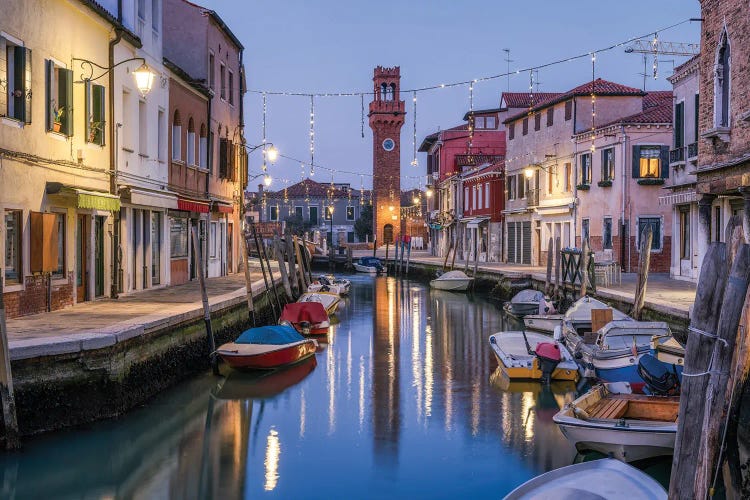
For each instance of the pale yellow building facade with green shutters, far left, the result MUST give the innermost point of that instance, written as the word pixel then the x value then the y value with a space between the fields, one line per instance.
pixel 55 151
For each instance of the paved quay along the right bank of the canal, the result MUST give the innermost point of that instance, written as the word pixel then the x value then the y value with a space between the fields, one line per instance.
pixel 663 294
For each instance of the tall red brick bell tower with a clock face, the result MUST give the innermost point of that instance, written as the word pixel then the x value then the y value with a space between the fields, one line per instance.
pixel 386 119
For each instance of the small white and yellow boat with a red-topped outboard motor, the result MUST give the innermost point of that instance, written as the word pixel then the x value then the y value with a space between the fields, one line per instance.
pixel 529 355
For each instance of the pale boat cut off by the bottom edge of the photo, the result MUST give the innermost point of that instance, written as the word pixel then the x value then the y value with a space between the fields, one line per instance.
pixel 606 478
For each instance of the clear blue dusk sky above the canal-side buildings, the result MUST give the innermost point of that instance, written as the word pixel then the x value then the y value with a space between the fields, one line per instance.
pixel 330 46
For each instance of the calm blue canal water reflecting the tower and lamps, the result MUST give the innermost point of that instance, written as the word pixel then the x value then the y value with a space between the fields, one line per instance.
pixel 402 400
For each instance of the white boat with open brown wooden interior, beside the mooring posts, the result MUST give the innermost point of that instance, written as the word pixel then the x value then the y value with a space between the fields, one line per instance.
pixel 630 427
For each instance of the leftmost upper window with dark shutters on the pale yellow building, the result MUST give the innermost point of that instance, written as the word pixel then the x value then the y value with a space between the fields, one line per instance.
pixel 15 75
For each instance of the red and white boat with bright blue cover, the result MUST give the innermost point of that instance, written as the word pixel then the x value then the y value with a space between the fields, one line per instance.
pixel 267 348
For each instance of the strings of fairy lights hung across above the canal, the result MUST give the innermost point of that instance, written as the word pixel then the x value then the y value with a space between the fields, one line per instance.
pixel 414 91
